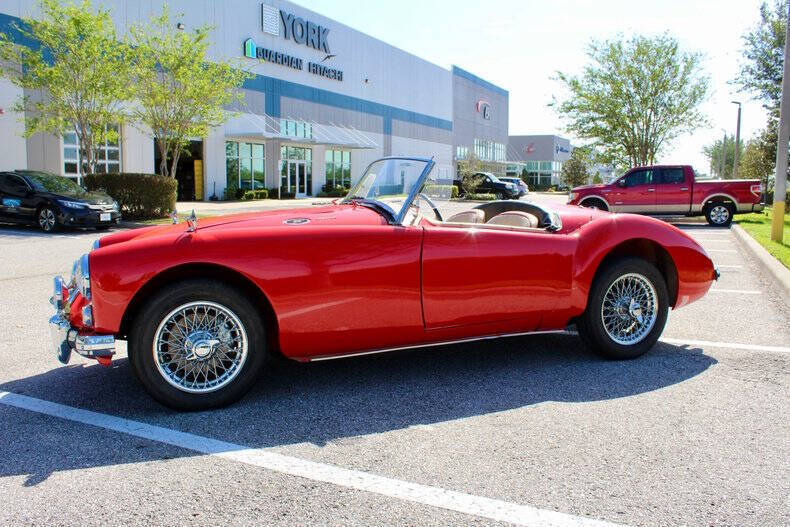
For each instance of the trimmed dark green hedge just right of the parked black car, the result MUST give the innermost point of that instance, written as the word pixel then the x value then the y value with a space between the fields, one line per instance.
pixel 139 196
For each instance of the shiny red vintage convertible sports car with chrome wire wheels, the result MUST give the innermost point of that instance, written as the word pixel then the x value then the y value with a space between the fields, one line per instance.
pixel 204 307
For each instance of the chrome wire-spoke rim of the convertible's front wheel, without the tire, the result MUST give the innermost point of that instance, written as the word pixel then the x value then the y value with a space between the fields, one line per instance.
pixel 200 347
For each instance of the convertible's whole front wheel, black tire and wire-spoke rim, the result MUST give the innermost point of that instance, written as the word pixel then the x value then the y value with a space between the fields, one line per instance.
pixel 197 344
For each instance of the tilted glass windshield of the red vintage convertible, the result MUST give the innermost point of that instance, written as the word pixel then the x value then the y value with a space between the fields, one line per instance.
pixel 388 183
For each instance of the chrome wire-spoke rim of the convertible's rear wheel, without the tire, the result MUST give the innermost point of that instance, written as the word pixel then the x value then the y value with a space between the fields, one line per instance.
pixel 630 309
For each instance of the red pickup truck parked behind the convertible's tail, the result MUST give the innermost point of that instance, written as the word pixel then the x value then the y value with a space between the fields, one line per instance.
pixel 672 190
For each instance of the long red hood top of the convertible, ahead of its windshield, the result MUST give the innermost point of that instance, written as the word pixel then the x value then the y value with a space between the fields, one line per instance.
pixel 286 219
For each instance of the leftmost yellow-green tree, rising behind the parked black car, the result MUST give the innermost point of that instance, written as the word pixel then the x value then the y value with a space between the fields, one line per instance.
pixel 74 78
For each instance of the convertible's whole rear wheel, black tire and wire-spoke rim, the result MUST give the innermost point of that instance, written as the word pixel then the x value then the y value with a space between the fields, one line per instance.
pixel 626 310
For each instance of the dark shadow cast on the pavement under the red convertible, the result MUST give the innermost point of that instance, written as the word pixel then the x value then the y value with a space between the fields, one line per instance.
pixel 326 401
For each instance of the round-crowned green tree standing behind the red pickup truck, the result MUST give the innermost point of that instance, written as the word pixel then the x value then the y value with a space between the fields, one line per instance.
pixel 634 97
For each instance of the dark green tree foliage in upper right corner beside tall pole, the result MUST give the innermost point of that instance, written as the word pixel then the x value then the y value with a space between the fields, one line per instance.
pixel 763 57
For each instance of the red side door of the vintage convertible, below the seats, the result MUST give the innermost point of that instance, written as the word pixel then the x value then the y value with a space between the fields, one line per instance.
pixel 474 278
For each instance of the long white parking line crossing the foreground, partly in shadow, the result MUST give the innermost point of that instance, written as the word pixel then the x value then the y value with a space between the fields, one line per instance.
pixel 493 509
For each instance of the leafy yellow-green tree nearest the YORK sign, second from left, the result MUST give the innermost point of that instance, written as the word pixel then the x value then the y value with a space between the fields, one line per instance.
pixel 179 92
